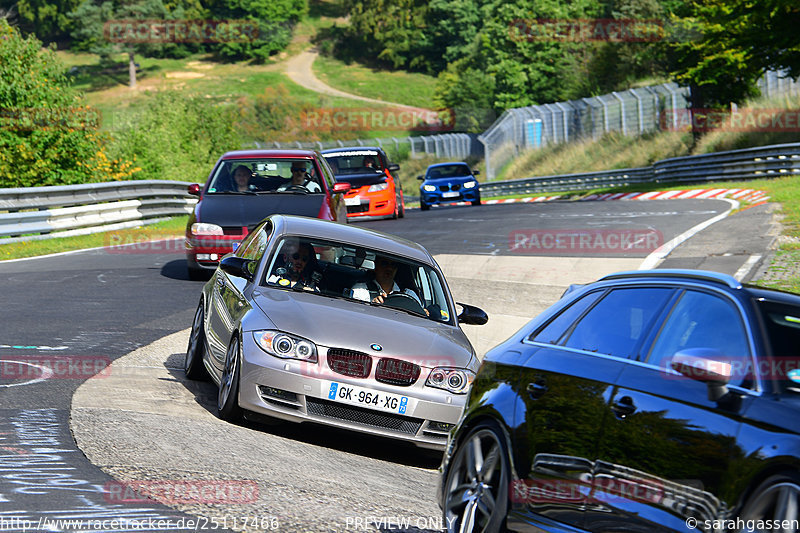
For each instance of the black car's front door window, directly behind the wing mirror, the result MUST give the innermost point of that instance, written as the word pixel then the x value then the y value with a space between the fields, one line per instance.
pixel 702 320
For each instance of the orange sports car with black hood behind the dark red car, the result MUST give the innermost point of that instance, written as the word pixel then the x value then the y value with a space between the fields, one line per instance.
pixel 374 192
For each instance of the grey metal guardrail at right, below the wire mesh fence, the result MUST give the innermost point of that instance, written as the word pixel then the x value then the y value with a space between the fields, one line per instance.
pixel 751 163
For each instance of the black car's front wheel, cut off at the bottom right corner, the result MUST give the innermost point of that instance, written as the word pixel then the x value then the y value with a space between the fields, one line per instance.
pixel 775 500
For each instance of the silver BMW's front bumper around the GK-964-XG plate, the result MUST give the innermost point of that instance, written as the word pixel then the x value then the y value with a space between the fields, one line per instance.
pixel 295 391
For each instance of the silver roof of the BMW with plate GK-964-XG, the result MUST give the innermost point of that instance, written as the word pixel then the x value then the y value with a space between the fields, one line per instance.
pixel 368 238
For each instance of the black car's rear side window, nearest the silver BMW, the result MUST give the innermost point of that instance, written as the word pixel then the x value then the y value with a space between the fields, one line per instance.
pixel 616 324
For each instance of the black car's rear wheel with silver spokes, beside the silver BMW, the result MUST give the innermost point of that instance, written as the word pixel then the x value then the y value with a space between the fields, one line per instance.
pixel 476 490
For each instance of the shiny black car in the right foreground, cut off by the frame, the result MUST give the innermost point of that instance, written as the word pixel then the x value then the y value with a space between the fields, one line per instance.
pixel 664 400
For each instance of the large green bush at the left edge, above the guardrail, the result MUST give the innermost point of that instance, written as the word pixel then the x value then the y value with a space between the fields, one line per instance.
pixel 47 135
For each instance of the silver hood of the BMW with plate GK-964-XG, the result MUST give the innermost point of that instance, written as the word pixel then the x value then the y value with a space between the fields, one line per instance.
pixel 340 323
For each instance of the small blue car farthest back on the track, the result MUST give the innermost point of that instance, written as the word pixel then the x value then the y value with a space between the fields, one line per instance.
pixel 449 182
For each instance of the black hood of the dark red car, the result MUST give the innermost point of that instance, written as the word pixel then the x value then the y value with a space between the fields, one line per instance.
pixel 248 210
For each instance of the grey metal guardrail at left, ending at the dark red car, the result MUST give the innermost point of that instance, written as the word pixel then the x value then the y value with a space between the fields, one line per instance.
pixel 32 213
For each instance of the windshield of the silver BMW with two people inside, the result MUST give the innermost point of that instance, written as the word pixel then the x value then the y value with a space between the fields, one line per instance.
pixel 370 277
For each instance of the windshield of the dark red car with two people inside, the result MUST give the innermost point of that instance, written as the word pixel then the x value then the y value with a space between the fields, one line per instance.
pixel 260 175
